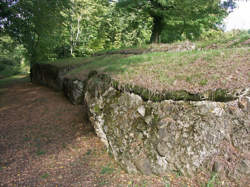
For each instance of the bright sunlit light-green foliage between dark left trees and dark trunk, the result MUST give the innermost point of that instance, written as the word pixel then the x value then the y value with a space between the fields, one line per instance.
pixel 94 25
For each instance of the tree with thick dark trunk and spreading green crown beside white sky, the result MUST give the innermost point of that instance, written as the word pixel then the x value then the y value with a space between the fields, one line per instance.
pixel 186 16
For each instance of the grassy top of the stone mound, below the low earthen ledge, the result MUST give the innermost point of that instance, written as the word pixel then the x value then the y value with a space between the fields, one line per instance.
pixel 198 68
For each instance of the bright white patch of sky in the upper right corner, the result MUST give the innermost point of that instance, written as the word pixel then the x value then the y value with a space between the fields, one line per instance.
pixel 239 18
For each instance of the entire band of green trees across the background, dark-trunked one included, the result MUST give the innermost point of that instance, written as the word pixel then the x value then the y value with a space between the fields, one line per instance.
pixel 55 29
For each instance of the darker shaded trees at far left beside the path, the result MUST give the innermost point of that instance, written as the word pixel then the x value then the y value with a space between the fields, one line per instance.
pixel 34 23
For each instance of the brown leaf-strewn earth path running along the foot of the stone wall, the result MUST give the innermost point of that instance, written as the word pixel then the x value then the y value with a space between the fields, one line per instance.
pixel 47 141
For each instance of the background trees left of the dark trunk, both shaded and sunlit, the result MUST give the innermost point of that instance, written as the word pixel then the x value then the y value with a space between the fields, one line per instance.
pixel 55 29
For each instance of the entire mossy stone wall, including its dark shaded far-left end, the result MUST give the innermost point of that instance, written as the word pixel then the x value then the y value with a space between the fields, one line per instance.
pixel 181 133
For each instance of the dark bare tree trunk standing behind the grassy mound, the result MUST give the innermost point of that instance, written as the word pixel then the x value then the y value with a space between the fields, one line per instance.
pixel 156 30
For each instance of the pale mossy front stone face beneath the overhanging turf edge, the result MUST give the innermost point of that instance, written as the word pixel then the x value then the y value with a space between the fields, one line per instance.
pixel 179 136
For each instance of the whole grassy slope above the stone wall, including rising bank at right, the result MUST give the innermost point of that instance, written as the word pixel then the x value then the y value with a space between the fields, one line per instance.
pixel 222 63
